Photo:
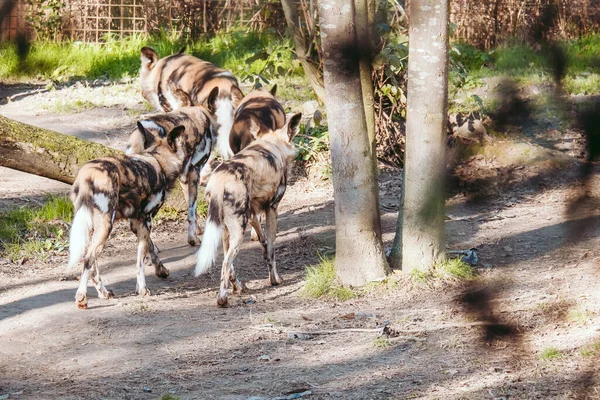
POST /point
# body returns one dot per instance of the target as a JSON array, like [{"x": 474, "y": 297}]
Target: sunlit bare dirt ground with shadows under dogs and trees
[{"x": 538, "y": 289}]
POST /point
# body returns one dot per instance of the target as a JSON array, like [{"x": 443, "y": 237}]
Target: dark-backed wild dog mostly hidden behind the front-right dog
[{"x": 258, "y": 113}]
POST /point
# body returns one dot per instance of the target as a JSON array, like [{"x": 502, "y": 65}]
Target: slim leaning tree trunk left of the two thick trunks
[{"x": 310, "y": 70}]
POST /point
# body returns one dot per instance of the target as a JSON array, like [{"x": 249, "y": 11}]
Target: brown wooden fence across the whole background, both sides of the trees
[{"x": 483, "y": 23}]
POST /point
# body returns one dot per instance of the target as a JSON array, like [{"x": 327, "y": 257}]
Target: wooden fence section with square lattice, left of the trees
[{"x": 93, "y": 20}]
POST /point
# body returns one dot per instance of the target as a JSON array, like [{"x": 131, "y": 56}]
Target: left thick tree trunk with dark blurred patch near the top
[{"x": 360, "y": 256}]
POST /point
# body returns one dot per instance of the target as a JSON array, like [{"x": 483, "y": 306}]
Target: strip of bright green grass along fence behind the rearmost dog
[{"x": 247, "y": 54}]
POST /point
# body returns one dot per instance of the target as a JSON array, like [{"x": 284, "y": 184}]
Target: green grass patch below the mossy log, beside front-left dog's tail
[{"x": 36, "y": 232}]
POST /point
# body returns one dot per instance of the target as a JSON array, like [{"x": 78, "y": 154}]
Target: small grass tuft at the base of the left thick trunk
[{"x": 321, "y": 282}]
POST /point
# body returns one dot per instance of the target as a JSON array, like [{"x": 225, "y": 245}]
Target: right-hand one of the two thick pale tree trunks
[{"x": 423, "y": 236}]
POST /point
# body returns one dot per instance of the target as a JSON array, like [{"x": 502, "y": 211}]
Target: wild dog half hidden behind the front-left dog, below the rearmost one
[{"x": 197, "y": 141}]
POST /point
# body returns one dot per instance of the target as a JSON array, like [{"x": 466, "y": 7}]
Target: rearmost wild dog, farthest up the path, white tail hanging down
[{"x": 184, "y": 80}]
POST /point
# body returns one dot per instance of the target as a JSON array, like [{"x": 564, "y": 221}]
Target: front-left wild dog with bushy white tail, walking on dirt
[{"x": 129, "y": 186}]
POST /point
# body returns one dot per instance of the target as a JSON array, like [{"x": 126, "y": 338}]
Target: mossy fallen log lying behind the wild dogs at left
[{"x": 54, "y": 155}]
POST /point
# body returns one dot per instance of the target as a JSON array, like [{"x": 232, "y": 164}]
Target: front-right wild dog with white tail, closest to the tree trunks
[{"x": 254, "y": 180}]
